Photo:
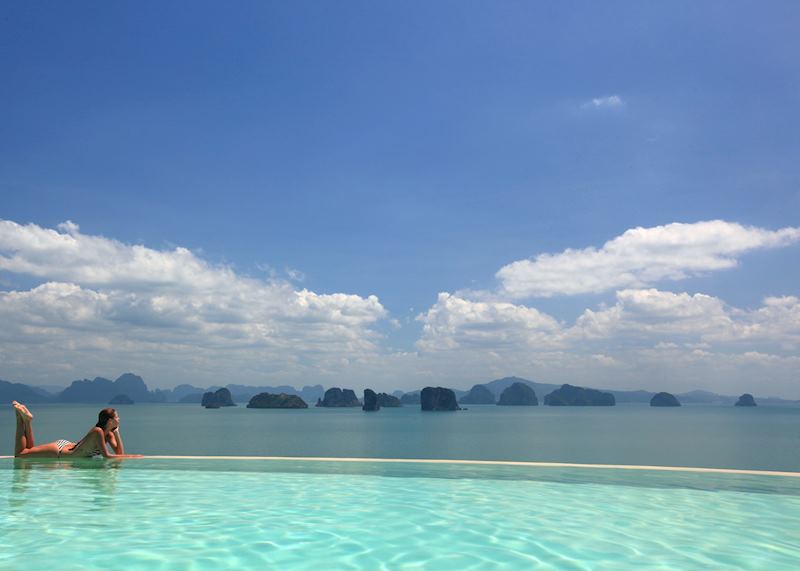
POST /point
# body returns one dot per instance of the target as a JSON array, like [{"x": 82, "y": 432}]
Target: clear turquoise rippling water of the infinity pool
[{"x": 253, "y": 514}]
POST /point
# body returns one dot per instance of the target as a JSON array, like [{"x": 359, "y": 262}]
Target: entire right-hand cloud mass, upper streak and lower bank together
[{"x": 646, "y": 337}]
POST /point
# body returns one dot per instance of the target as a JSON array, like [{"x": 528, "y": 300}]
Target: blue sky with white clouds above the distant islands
[{"x": 395, "y": 195}]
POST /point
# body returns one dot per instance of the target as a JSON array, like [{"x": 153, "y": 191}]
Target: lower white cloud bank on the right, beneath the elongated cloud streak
[{"x": 648, "y": 339}]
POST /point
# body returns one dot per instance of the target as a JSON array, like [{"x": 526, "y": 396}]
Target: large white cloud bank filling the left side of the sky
[{"x": 135, "y": 304}]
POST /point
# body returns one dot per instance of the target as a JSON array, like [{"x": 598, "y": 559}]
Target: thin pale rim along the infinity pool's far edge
[{"x": 517, "y": 463}]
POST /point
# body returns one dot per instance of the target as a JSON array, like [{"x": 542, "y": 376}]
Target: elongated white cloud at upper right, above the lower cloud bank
[{"x": 640, "y": 257}]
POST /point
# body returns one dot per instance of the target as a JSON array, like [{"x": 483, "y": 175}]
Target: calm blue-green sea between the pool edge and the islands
[{"x": 764, "y": 438}]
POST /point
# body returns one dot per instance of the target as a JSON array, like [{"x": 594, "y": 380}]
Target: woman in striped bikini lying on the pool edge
[{"x": 106, "y": 431}]
